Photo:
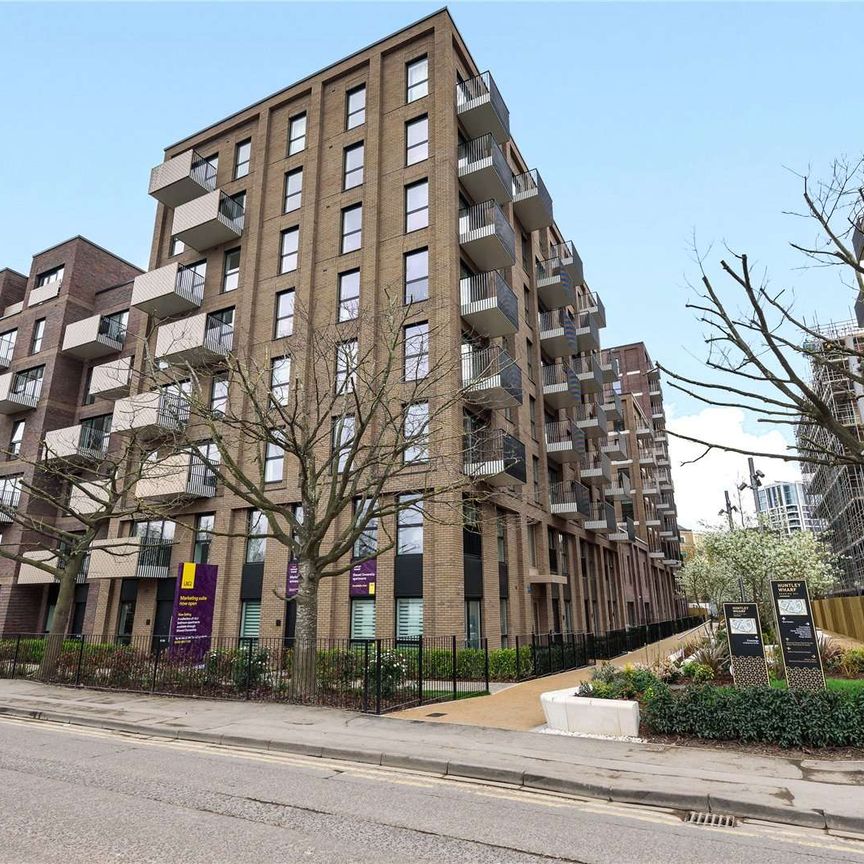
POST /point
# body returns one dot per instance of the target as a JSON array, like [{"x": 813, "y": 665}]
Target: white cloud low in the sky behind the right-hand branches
[{"x": 699, "y": 486}]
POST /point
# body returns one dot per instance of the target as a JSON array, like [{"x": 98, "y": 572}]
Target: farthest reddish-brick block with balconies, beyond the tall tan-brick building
[{"x": 644, "y": 492}]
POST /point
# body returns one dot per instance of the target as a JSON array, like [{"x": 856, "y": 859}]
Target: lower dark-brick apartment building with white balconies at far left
[{"x": 66, "y": 334}]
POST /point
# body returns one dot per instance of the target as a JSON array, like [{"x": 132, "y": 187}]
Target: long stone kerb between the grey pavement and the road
[{"x": 721, "y": 804}]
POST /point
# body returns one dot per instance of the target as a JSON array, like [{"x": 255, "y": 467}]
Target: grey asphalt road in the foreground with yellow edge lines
[{"x": 69, "y": 795}]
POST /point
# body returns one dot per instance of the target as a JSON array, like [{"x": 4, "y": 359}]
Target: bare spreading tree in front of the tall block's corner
[{"x": 365, "y": 419}]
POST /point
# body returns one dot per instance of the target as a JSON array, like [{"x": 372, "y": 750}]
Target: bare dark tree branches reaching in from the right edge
[{"x": 768, "y": 359}]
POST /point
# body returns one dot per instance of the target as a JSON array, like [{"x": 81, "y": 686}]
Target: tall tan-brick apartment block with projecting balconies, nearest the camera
[{"x": 392, "y": 167}]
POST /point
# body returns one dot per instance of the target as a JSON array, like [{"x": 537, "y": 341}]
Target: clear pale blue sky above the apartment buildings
[{"x": 647, "y": 121}]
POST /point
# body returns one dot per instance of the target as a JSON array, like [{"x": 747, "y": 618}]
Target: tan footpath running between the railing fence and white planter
[{"x": 518, "y": 707}]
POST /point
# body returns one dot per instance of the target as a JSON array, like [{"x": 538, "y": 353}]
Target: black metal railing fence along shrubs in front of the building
[{"x": 373, "y": 676}]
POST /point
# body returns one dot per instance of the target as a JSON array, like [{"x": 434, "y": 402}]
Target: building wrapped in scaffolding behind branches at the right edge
[{"x": 837, "y": 493}]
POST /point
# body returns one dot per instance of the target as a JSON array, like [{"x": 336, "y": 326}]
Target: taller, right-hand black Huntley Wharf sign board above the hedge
[{"x": 797, "y": 635}]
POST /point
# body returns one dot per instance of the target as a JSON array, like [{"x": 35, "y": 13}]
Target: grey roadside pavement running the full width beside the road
[{"x": 810, "y": 793}]
